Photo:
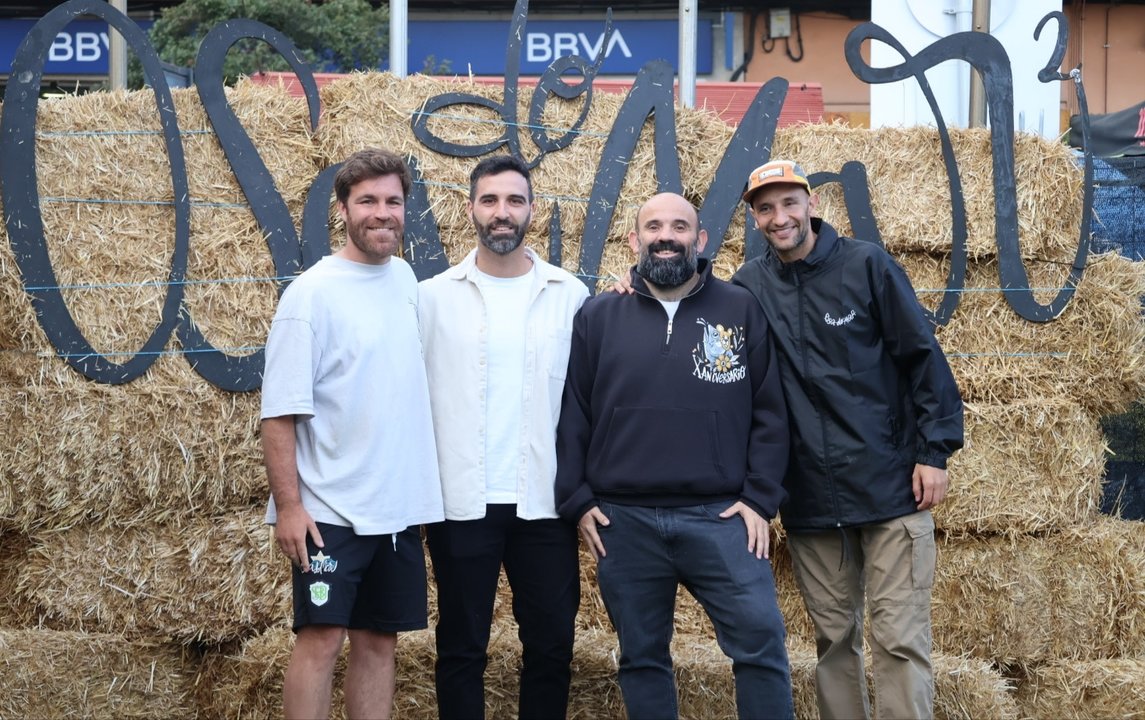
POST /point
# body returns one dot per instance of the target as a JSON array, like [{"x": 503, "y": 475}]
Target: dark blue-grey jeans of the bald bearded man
[{"x": 652, "y": 550}]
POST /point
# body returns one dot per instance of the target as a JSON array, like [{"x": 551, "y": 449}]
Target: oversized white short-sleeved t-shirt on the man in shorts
[{"x": 345, "y": 358}]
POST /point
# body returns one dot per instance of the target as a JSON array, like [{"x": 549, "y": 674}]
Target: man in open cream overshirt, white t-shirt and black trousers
[{"x": 498, "y": 330}]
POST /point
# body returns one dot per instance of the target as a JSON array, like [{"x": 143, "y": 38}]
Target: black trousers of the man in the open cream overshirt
[{"x": 542, "y": 566}]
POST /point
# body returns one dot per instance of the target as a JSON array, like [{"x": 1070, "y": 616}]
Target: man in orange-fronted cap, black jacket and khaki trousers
[{"x": 875, "y": 414}]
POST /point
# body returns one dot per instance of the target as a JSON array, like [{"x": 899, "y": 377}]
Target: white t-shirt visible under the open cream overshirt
[{"x": 507, "y": 310}]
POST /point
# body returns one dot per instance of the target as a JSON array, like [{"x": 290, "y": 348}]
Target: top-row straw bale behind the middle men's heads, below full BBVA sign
[{"x": 377, "y": 109}]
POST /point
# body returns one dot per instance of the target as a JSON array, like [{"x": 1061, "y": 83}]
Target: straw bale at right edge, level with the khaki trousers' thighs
[{"x": 1076, "y": 595}]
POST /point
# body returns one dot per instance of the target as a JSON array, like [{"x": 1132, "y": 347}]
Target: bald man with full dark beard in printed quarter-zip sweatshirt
[{"x": 672, "y": 449}]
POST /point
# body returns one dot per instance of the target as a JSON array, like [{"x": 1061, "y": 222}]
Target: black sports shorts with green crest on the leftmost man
[{"x": 364, "y": 582}]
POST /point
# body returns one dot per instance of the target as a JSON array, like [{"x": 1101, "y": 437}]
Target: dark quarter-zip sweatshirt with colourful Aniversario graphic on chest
[{"x": 665, "y": 414}]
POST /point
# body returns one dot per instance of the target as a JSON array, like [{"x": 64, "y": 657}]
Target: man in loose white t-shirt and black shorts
[{"x": 349, "y": 447}]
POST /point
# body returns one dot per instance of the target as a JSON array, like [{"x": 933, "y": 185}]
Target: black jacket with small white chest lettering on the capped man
[{"x": 868, "y": 390}]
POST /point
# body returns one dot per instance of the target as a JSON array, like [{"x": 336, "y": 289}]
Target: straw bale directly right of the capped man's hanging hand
[{"x": 1028, "y": 468}]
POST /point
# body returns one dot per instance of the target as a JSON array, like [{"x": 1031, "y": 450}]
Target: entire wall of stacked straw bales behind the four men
[{"x": 132, "y": 515}]
